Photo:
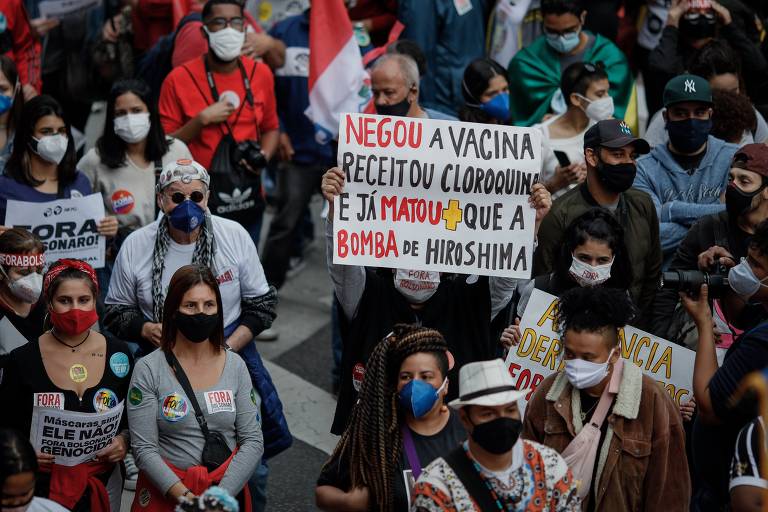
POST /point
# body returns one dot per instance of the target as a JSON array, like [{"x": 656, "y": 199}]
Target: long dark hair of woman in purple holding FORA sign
[{"x": 19, "y": 166}]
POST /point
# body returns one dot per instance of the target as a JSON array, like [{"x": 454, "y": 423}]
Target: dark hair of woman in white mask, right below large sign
[{"x": 600, "y": 225}]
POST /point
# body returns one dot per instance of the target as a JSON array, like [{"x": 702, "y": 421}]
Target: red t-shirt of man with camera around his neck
[{"x": 185, "y": 93}]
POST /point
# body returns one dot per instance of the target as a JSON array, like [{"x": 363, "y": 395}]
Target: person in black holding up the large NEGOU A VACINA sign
[{"x": 374, "y": 300}]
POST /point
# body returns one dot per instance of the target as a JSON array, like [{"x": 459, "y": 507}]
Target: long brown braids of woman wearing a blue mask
[{"x": 372, "y": 442}]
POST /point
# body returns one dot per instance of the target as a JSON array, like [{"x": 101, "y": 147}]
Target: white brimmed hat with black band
[{"x": 486, "y": 383}]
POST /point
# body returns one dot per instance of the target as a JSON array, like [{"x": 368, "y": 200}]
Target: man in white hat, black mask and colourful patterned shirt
[{"x": 494, "y": 469}]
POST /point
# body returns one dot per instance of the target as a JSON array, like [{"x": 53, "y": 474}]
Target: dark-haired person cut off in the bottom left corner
[{"x": 18, "y": 471}]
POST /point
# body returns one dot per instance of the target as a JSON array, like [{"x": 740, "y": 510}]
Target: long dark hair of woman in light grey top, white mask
[{"x": 112, "y": 148}]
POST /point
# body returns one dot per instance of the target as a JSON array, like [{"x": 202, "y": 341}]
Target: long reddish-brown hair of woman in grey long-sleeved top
[{"x": 182, "y": 281}]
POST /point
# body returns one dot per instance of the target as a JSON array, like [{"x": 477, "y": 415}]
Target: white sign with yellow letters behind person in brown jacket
[{"x": 537, "y": 355}]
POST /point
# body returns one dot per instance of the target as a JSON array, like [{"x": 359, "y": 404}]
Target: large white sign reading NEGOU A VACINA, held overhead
[{"x": 424, "y": 194}]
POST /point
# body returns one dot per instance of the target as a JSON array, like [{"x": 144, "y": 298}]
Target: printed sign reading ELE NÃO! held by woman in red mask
[{"x": 73, "y": 437}]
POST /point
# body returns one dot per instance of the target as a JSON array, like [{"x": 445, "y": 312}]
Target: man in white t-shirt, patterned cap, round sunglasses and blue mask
[{"x": 187, "y": 233}]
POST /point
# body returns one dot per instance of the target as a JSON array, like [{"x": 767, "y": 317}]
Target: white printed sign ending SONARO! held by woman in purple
[{"x": 67, "y": 227}]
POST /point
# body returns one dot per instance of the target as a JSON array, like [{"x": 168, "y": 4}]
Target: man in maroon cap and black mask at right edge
[{"x": 720, "y": 239}]
